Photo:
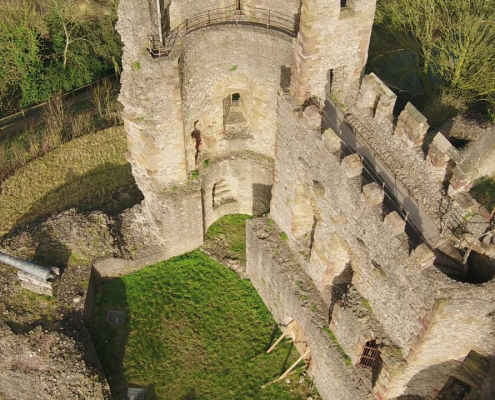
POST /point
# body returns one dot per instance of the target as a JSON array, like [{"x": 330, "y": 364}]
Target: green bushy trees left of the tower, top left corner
[{"x": 47, "y": 46}]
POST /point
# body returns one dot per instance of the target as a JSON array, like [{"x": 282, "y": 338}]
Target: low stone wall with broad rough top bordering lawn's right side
[{"x": 274, "y": 273}]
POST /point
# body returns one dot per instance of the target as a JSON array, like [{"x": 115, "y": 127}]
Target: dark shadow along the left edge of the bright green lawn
[{"x": 110, "y": 340}]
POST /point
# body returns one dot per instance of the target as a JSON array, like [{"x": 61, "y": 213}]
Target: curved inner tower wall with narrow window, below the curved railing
[{"x": 218, "y": 62}]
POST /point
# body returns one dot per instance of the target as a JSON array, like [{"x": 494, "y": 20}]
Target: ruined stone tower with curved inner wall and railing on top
[{"x": 200, "y": 84}]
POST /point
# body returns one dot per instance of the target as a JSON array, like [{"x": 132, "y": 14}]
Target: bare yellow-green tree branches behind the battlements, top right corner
[{"x": 448, "y": 46}]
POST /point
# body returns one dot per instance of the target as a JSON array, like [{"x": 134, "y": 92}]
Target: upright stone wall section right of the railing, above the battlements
[{"x": 332, "y": 47}]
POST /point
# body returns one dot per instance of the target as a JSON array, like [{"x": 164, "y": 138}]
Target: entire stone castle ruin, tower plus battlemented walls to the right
[{"x": 374, "y": 254}]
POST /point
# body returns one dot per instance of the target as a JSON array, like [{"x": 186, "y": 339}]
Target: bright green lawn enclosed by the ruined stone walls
[{"x": 194, "y": 330}]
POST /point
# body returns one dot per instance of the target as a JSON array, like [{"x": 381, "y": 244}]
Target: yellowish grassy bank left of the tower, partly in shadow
[{"x": 89, "y": 173}]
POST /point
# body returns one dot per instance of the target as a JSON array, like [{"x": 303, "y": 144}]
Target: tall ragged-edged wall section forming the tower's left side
[{"x": 150, "y": 93}]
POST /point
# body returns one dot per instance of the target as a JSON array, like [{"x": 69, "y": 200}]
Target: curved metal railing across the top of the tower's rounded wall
[{"x": 268, "y": 19}]
